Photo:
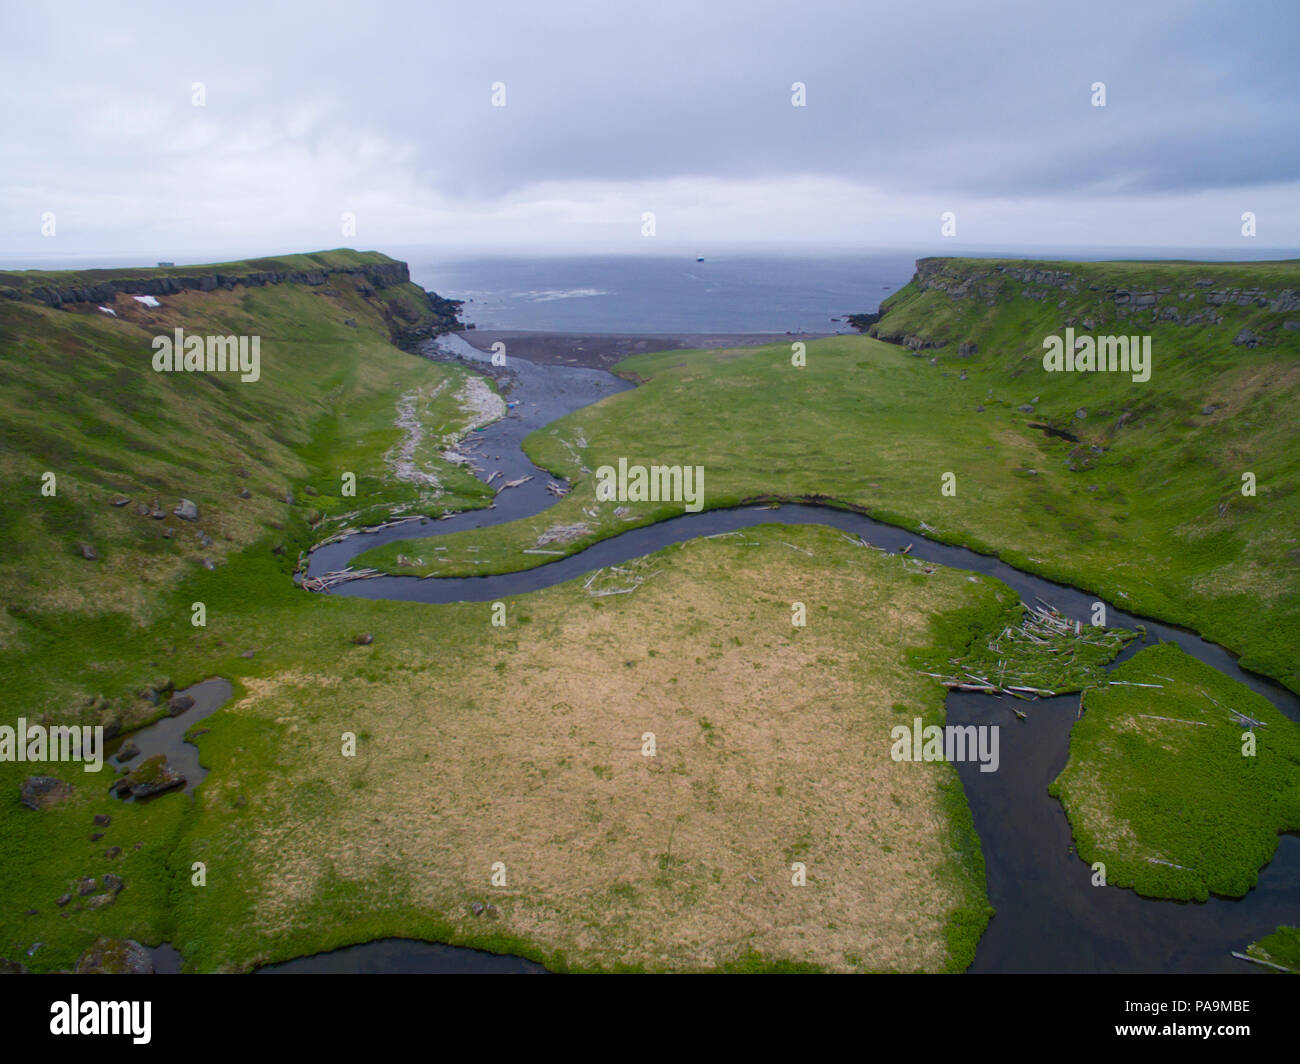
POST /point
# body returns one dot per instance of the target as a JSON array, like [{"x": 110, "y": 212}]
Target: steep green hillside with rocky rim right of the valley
[{"x": 1221, "y": 403}]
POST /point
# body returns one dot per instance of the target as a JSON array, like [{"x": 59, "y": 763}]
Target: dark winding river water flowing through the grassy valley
[{"x": 1048, "y": 915}]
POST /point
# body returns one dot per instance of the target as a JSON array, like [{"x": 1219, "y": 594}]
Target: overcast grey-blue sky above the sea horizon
[{"x": 613, "y": 110}]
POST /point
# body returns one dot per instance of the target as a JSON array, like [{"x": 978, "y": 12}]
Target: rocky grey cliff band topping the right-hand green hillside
[{"x": 1251, "y": 304}]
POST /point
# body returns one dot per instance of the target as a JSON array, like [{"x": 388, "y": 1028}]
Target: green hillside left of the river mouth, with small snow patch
[{"x": 99, "y": 448}]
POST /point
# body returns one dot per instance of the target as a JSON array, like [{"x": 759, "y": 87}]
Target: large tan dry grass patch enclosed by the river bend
[{"x": 525, "y": 746}]
